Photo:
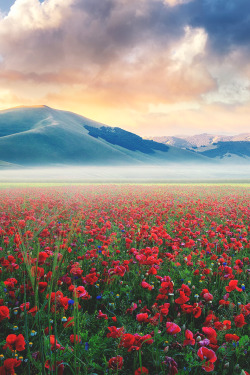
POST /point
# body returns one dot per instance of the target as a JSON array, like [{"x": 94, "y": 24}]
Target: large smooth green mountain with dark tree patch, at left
[{"x": 40, "y": 135}]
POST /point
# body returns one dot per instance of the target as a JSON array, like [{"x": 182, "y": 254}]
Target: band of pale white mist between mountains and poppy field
[{"x": 146, "y": 173}]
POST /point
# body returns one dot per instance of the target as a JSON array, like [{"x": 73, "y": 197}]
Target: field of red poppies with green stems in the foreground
[{"x": 125, "y": 279}]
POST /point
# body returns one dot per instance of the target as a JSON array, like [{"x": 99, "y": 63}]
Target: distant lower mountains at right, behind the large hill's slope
[{"x": 236, "y": 147}]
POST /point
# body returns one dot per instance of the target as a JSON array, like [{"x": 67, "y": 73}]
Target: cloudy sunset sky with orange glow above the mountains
[{"x": 153, "y": 67}]
